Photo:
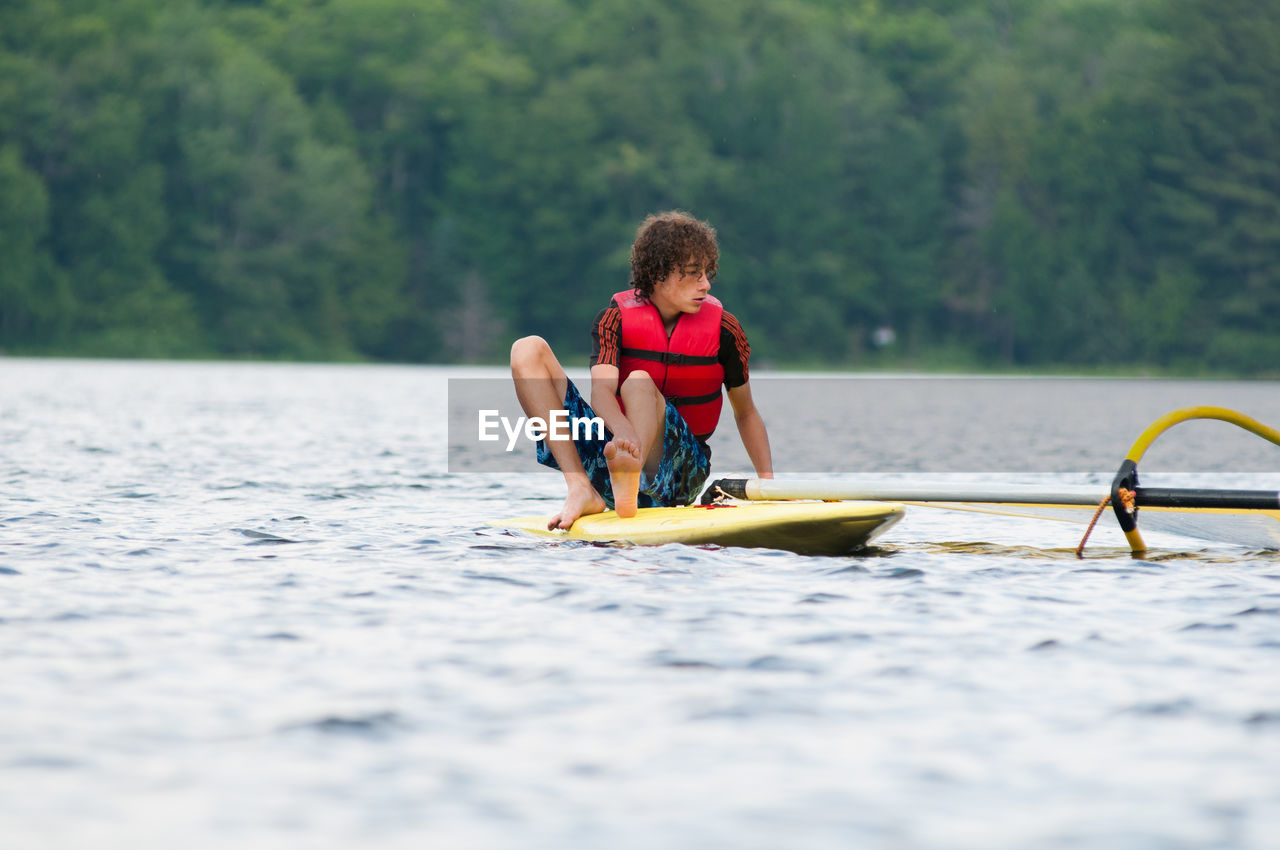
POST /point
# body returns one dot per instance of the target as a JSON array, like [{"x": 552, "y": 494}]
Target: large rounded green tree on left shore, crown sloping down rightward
[{"x": 273, "y": 232}]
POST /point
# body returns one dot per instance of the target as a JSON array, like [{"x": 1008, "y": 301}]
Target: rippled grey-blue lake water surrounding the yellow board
[{"x": 252, "y": 606}]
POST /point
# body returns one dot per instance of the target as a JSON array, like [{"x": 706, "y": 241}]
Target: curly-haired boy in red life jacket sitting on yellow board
[{"x": 661, "y": 354}]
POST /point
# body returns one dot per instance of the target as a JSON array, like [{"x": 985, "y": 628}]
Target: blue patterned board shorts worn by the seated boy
[{"x": 682, "y": 473}]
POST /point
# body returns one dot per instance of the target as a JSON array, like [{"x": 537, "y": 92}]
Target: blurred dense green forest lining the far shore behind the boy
[{"x": 980, "y": 182}]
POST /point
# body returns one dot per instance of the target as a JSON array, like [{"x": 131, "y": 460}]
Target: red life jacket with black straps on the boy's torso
[{"x": 685, "y": 367}]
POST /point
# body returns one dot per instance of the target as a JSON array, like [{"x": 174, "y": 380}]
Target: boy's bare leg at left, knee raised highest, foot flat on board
[{"x": 541, "y": 386}]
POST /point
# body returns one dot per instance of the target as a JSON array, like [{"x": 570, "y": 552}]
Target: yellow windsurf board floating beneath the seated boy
[{"x": 806, "y": 528}]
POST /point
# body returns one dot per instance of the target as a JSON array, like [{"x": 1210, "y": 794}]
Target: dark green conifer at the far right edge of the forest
[{"x": 1220, "y": 186}]
